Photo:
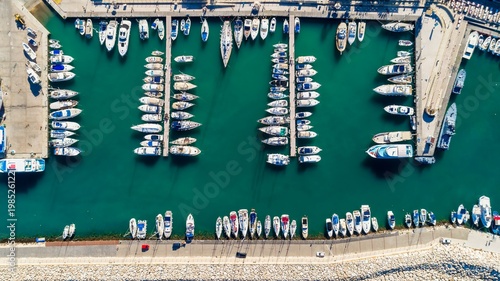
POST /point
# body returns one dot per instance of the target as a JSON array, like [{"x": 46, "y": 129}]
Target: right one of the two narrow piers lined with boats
[{"x": 291, "y": 84}]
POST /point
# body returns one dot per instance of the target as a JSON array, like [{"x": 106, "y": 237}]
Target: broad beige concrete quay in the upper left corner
[{"x": 25, "y": 113}]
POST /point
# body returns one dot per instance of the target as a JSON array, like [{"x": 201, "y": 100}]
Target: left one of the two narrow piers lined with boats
[{"x": 168, "y": 72}]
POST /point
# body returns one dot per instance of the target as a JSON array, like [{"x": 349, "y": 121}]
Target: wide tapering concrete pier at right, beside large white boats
[{"x": 439, "y": 48}]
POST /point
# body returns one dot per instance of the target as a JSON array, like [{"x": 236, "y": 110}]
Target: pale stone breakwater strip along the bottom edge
[{"x": 442, "y": 262}]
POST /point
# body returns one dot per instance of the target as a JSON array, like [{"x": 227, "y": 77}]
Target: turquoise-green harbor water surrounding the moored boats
[{"x": 102, "y": 190}]
